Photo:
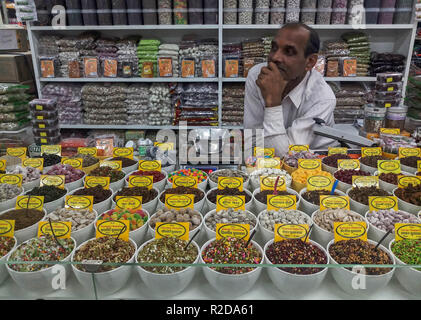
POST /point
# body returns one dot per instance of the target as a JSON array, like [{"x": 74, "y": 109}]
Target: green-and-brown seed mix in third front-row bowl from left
[{"x": 171, "y": 250}]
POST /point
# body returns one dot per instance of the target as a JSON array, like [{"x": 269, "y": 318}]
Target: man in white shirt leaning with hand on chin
[{"x": 284, "y": 95}]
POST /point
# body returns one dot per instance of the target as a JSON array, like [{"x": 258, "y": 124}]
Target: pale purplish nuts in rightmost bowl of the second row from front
[{"x": 385, "y": 219}]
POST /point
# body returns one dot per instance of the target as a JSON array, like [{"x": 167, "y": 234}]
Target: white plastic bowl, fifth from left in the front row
[{"x": 295, "y": 284}]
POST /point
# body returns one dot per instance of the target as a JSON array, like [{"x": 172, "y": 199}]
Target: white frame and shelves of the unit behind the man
[{"x": 396, "y": 38}]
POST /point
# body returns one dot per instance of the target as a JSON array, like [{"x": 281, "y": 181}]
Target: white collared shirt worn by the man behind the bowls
[{"x": 291, "y": 122}]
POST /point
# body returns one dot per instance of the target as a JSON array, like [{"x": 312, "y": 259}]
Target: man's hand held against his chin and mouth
[{"x": 271, "y": 84}]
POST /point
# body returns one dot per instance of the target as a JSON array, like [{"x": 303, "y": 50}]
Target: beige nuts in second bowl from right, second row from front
[{"x": 326, "y": 218}]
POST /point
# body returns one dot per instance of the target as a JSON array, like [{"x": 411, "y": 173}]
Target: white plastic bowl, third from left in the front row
[{"x": 167, "y": 285}]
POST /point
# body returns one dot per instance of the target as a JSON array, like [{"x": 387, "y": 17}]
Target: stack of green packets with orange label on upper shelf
[{"x": 147, "y": 52}]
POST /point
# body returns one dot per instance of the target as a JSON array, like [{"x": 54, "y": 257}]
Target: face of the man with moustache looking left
[{"x": 288, "y": 48}]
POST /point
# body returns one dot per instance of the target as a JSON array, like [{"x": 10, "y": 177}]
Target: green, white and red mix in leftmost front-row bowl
[{"x": 44, "y": 248}]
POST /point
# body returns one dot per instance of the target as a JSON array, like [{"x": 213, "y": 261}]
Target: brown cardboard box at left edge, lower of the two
[{"x": 15, "y": 67}]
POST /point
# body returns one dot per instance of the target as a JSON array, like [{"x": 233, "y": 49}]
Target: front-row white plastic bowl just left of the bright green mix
[{"x": 344, "y": 278}]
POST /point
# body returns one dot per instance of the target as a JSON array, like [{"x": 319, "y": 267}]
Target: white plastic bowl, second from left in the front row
[{"x": 106, "y": 282}]
